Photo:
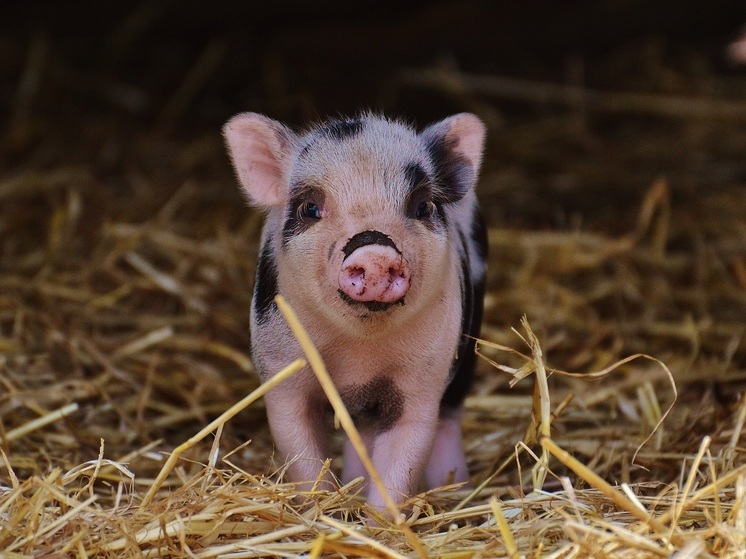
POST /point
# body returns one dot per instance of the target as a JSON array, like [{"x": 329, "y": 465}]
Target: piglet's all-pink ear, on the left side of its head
[{"x": 260, "y": 149}]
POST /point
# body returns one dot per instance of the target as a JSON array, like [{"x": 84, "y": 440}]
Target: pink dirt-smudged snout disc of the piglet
[{"x": 375, "y": 273}]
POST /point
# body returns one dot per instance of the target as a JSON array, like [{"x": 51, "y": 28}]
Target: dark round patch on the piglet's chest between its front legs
[{"x": 379, "y": 403}]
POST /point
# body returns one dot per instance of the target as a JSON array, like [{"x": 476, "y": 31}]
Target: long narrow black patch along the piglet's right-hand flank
[{"x": 472, "y": 308}]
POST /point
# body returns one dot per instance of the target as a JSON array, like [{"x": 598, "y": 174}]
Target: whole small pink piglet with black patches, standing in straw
[{"x": 373, "y": 236}]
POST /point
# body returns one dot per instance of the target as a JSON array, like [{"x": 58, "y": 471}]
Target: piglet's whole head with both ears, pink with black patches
[{"x": 358, "y": 209}]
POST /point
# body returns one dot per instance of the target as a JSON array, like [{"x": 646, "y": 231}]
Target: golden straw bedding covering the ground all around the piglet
[{"x": 608, "y": 415}]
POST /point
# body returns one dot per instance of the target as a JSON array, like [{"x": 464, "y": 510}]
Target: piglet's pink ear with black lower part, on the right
[{"x": 455, "y": 145}]
